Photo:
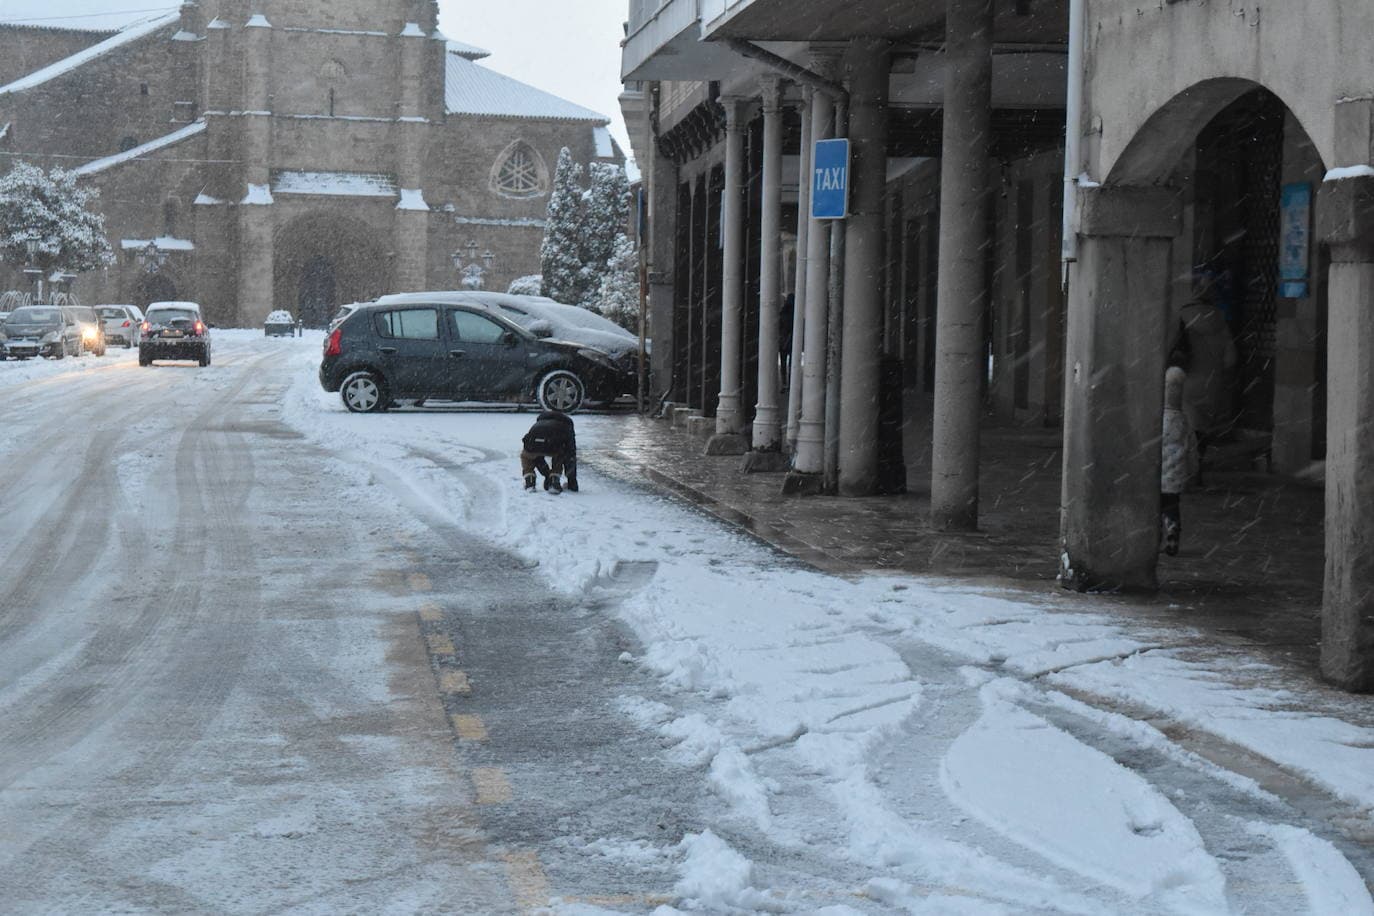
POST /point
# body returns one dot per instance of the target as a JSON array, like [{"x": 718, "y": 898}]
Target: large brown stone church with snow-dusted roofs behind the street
[{"x": 292, "y": 154}]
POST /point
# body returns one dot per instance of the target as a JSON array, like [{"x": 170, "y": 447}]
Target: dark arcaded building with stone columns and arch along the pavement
[{"x": 1000, "y": 270}]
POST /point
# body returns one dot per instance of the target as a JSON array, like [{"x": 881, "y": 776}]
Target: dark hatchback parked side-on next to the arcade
[{"x": 449, "y": 347}]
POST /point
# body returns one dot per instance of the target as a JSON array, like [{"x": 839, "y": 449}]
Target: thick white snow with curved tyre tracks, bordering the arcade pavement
[{"x": 910, "y": 733}]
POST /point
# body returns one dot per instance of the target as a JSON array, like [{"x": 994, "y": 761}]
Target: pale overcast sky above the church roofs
[{"x": 567, "y": 47}]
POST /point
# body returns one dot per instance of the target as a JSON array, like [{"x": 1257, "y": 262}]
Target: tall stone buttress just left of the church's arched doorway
[{"x": 256, "y": 225}]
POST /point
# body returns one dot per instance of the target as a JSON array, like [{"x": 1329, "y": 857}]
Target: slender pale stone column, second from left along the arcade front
[{"x": 767, "y": 440}]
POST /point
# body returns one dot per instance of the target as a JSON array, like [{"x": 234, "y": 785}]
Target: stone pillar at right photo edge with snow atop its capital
[{"x": 1346, "y": 222}]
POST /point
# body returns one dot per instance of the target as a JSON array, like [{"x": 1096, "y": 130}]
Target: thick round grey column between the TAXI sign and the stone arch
[{"x": 961, "y": 358}]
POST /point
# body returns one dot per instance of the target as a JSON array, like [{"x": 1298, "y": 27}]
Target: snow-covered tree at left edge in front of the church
[{"x": 56, "y": 212}]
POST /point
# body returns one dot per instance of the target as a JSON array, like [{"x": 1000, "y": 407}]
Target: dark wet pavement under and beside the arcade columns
[{"x": 1250, "y": 569}]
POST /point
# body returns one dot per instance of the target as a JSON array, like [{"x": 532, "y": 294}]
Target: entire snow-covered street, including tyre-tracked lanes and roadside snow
[{"x": 263, "y": 656}]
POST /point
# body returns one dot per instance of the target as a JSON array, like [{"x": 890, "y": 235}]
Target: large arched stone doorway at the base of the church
[{"x": 326, "y": 260}]
